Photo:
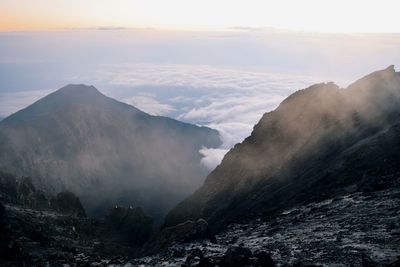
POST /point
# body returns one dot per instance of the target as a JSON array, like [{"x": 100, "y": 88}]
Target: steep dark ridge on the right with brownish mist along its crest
[{"x": 320, "y": 142}]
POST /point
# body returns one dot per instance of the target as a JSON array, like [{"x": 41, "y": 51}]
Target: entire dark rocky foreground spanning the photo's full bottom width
[{"x": 356, "y": 229}]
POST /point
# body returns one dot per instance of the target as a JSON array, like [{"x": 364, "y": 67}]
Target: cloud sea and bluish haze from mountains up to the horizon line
[{"x": 225, "y": 80}]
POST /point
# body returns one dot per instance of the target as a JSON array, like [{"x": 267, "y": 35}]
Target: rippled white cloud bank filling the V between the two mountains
[{"x": 229, "y": 100}]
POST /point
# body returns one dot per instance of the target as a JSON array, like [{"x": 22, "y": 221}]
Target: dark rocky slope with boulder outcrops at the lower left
[{"x": 38, "y": 229}]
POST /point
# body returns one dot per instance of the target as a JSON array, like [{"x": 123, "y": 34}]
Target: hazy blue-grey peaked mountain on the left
[{"x": 105, "y": 151}]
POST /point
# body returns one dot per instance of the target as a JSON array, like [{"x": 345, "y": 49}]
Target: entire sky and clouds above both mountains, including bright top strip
[{"x": 218, "y": 63}]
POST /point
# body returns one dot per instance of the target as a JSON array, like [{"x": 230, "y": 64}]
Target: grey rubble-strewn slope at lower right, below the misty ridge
[{"x": 354, "y": 230}]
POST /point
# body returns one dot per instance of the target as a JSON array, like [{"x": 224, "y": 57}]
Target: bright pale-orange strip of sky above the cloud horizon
[{"x": 342, "y": 16}]
